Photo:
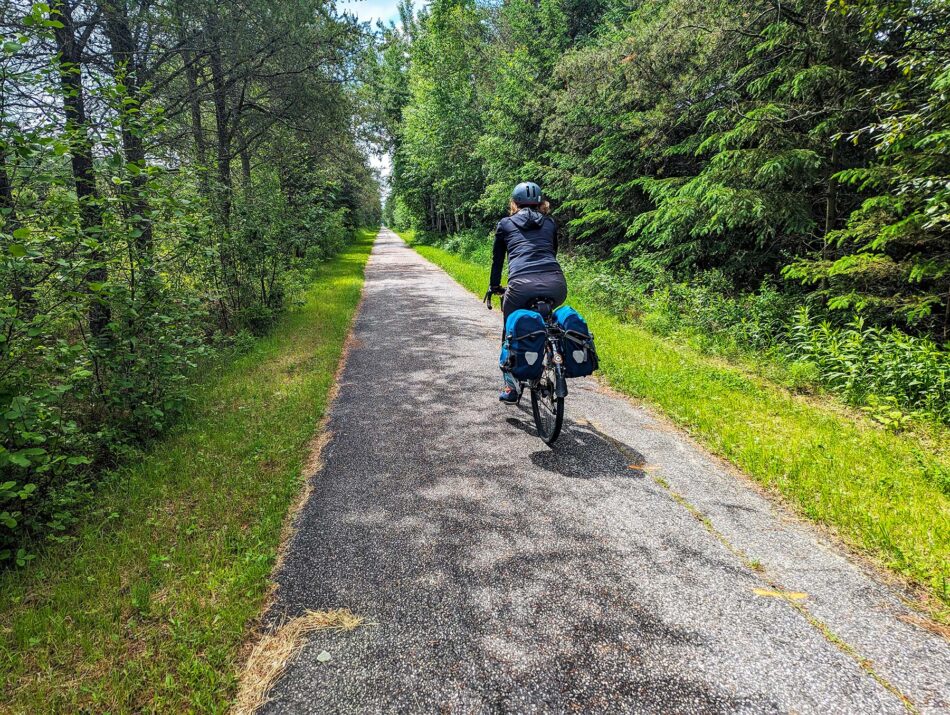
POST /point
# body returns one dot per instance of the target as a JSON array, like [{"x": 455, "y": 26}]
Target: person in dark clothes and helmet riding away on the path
[{"x": 528, "y": 236}]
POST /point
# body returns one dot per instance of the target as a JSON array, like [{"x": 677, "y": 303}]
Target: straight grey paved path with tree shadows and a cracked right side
[{"x": 499, "y": 575}]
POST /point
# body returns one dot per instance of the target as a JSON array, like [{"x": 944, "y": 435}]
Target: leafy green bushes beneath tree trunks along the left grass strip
[{"x": 72, "y": 405}]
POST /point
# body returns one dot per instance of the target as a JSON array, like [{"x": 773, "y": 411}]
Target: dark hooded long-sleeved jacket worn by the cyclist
[{"x": 530, "y": 240}]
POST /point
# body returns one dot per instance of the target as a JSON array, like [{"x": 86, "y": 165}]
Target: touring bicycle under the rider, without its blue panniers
[{"x": 550, "y": 389}]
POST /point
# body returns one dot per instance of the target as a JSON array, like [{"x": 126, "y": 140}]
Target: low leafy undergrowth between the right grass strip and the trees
[{"x": 903, "y": 383}]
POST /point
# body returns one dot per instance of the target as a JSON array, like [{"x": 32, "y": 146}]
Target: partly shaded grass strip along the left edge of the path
[{"x": 148, "y": 607}]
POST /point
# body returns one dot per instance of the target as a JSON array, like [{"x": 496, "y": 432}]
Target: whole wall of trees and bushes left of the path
[{"x": 165, "y": 190}]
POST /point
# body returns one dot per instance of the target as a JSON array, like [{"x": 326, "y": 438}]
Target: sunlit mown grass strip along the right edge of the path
[{"x": 883, "y": 493}]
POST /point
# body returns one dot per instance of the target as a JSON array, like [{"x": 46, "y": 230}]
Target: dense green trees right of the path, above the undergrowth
[{"x": 803, "y": 143}]
